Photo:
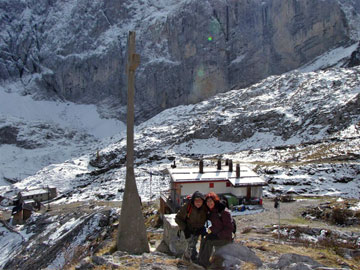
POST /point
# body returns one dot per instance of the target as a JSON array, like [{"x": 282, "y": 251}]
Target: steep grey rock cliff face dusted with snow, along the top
[{"x": 190, "y": 50}]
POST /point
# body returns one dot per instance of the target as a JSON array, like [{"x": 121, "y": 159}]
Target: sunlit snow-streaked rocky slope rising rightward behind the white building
[{"x": 301, "y": 119}]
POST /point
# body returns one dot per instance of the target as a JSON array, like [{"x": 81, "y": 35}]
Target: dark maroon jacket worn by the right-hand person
[{"x": 221, "y": 224}]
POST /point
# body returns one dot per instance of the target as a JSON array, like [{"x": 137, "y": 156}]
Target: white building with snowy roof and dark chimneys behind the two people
[{"x": 239, "y": 187}]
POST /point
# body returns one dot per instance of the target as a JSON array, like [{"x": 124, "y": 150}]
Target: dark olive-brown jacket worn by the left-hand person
[{"x": 191, "y": 218}]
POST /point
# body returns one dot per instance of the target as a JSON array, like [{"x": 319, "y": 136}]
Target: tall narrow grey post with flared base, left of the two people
[{"x": 132, "y": 235}]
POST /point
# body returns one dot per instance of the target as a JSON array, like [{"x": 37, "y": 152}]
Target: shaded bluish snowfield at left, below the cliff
[{"x": 35, "y": 134}]
